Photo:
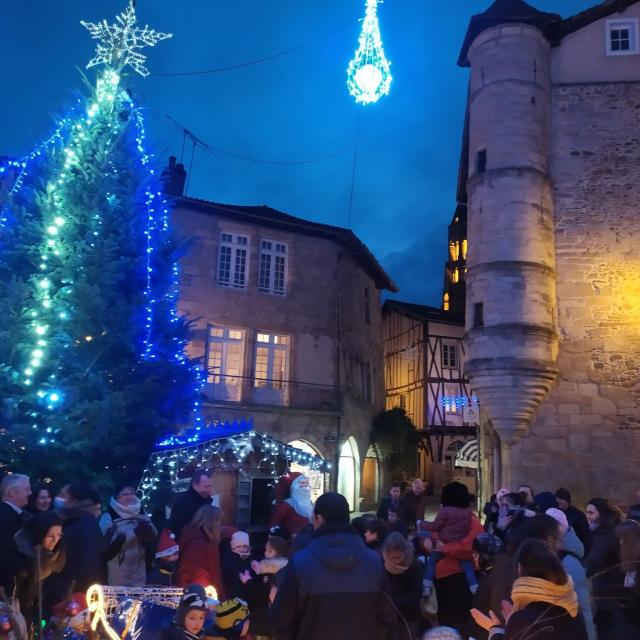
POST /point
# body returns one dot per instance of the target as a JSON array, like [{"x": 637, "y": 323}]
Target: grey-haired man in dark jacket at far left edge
[{"x": 15, "y": 490}]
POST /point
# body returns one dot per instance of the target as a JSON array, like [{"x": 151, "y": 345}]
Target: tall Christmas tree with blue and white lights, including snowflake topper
[{"x": 92, "y": 364}]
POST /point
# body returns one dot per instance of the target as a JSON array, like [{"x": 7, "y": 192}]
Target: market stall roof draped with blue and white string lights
[{"x": 202, "y": 444}]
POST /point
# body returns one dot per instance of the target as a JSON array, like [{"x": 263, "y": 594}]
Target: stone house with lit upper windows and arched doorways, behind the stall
[{"x": 287, "y": 320}]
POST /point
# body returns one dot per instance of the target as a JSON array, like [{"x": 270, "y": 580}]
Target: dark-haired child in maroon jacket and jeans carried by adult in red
[{"x": 452, "y": 524}]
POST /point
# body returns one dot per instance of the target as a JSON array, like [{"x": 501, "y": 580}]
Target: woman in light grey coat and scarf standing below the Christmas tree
[{"x": 126, "y": 517}]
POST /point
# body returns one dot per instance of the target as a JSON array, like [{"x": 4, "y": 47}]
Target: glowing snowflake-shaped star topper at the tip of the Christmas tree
[{"x": 120, "y": 43}]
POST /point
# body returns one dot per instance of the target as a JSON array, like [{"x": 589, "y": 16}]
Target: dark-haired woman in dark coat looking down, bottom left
[{"x": 37, "y": 555}]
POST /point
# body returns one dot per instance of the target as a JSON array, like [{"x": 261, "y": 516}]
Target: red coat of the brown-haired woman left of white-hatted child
[{"x": 199, "y": 561}]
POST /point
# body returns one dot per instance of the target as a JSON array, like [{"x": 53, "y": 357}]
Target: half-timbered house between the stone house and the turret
[{"x": 424, "y": 360}]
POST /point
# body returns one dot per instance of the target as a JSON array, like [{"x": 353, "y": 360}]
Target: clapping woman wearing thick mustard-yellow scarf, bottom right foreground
[{"x": 545, "y": 604}]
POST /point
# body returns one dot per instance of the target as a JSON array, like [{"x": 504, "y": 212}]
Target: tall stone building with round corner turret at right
[{"x": 552, "y": 156}]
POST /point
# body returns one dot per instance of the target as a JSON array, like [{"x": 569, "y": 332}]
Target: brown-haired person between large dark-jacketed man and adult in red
[{"x": 405, "y": 580}]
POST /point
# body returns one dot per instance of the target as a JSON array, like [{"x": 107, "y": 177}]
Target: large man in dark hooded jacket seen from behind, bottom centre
[{"x": 335, "y": 588}]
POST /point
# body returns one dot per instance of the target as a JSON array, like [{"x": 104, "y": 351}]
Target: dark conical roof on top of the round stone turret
[{"x": 505, "y": 12}]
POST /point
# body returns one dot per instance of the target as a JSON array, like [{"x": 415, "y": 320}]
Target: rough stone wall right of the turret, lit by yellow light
[{"x": 586, "y": 435}]
